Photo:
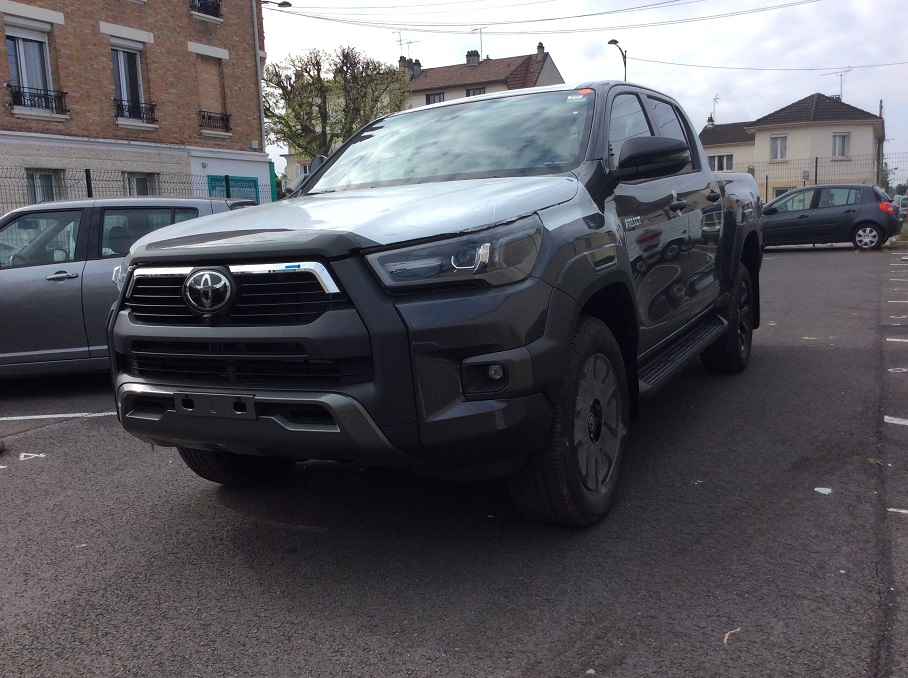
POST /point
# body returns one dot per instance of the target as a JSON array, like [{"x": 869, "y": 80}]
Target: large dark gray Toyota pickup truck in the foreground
[{"x": 481, "y": 288}]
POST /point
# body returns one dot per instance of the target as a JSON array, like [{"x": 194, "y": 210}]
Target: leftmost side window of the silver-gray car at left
[{"x": 39, "y": 238}]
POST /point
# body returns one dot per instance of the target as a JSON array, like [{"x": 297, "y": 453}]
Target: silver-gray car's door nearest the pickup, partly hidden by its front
[{"x": 114, "y": 230}]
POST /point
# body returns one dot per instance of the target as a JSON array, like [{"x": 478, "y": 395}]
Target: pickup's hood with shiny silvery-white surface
[{"x": 333, "y": 224}]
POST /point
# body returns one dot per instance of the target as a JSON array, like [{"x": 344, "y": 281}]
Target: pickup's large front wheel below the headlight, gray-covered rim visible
[{"x": 574, "y": 478}]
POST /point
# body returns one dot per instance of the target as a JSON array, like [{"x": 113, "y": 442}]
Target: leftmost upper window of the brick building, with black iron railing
[{"x": 29, "y": 66}]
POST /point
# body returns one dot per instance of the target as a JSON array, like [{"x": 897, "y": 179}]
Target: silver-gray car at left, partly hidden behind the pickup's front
[{"x": 56, "y": 264}]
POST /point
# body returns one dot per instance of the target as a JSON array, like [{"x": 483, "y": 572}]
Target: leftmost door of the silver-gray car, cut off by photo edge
[{"x": 42, "y": 259}]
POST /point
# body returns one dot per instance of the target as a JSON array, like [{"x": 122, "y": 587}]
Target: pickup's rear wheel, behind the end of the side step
[{"x": 731, "y": 352}]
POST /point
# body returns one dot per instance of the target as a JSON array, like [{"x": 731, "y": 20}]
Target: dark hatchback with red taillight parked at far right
[{"x": 855, "y": 213}]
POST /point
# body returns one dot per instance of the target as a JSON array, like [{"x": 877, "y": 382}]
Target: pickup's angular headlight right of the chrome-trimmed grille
[{"x": 496, "y": 256}]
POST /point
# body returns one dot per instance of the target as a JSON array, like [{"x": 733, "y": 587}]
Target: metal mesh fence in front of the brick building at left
[{"x": 19, "y": 187}]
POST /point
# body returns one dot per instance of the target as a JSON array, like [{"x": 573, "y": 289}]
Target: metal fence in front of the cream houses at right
[{"x": 776, "y": 177}]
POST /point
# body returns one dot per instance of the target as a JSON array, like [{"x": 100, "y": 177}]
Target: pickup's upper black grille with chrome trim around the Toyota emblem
[{"x": 265, "y": 295}]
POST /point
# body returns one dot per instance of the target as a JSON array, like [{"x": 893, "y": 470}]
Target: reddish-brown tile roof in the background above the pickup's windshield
[{"x": 515, "y": 72}]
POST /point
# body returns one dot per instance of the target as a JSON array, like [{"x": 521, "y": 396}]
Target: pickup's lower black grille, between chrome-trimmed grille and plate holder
[{"x": 254, "y": 364}]
